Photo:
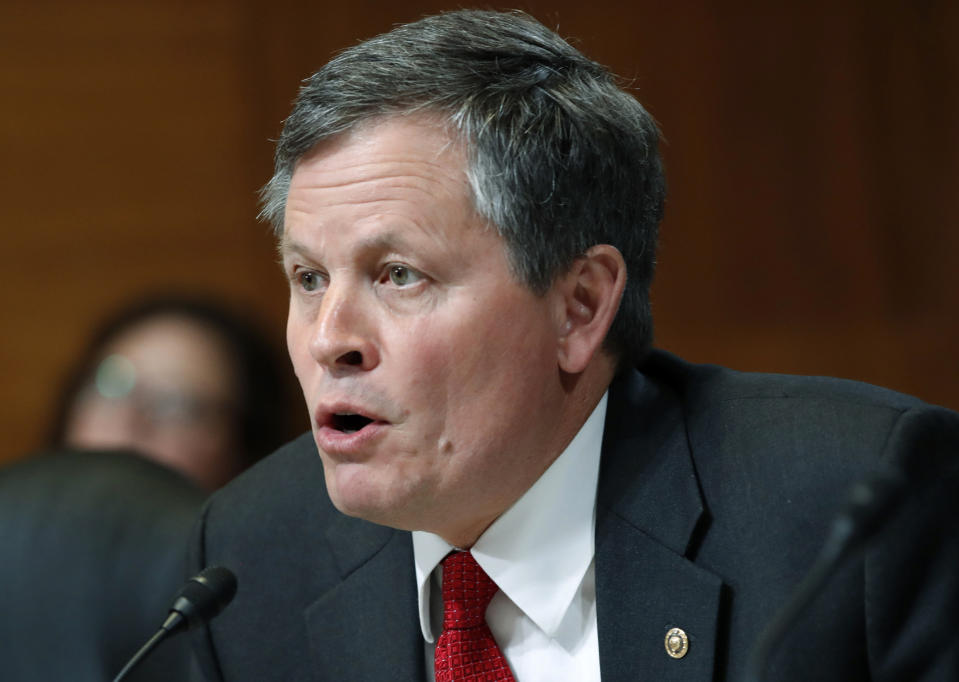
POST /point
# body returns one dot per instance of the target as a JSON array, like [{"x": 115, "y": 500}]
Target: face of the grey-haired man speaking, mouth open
[{"x": 430, "y": 373}]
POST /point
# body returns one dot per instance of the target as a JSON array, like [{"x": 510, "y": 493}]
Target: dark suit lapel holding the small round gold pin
[{"x": 649, "y": 509}]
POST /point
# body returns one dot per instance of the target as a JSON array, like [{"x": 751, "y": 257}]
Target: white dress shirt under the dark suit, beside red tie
[{"x": 540, "y": 554}]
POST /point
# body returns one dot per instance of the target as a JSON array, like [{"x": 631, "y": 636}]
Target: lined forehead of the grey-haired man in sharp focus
[{"x": 402, "y": 176}]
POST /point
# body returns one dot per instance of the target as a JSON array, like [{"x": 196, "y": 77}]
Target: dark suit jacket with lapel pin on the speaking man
[{"x": 716, "y": 491}]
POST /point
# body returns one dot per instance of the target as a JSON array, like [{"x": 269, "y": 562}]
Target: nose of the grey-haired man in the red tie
[{"x": 342, "y": 335}]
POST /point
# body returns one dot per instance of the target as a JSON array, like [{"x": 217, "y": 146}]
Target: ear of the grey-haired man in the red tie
[{"x": 590, "y": 294}]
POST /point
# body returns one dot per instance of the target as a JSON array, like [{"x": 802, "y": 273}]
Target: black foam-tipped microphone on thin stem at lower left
[{"x": 198, "y": 601}]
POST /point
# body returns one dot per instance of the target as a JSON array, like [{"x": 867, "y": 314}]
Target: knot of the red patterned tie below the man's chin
[{"x": 467, "y": 591}]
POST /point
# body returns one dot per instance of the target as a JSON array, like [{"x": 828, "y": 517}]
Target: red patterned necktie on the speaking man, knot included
[{"x": 466, "y": 651}]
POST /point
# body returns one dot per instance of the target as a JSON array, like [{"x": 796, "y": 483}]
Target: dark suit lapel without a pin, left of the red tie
[{"x": 367, "y": 627}]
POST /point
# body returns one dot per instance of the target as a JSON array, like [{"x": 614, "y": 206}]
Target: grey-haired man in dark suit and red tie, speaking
[{"x": 467, "y": 212}]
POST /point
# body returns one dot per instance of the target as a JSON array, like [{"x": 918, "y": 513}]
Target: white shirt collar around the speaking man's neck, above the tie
[{"x": 539, "y": 549}]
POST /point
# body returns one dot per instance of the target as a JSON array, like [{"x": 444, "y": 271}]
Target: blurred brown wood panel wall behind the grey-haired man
[{"x": 811, "y": 152}]
